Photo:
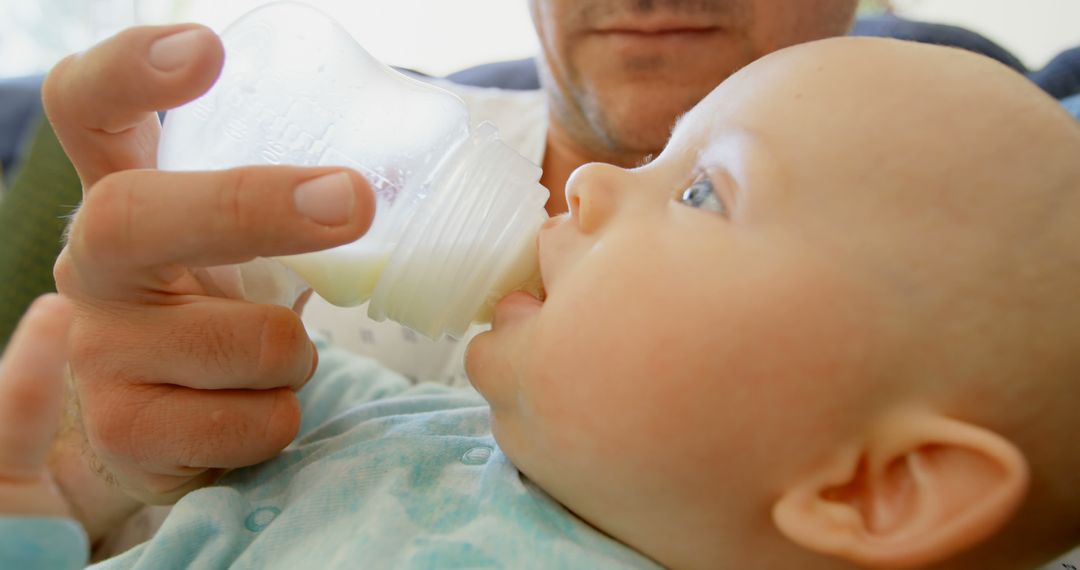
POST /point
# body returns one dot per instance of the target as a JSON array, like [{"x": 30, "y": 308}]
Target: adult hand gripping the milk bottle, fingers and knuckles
[{"x": 174, "y": 382}]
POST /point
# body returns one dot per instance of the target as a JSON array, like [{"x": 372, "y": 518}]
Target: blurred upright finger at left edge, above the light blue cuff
[{"x": 32, "y": 388}]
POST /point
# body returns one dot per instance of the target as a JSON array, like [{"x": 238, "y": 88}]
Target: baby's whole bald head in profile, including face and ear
[{"x": 804, "y": 330}]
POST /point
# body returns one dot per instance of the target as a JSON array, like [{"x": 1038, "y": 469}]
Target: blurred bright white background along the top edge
[{"x": 438, "y": 37}]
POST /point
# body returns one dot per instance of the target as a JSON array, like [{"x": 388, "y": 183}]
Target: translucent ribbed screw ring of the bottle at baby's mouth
[{"x": 471, "y": 240}]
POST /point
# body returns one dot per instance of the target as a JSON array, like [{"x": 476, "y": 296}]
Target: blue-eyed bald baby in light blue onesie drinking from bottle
[{"x": 834, "y": 325}]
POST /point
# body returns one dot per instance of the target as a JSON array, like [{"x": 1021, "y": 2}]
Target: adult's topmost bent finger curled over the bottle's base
[{"x": 103, "y": 102}]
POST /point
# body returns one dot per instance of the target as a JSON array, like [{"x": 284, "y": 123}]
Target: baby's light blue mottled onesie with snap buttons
[{"x": 383, "y": 476}]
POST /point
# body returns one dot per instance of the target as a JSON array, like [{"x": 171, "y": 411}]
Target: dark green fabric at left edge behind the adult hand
[{"x": 33, "y": 216}]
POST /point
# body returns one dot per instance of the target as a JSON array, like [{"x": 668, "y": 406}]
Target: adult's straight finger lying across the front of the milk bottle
[{"x": 139, "y": 230}]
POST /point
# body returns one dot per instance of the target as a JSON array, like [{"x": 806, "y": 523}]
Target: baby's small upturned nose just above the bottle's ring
[{"x": 593, "y": 195}]
